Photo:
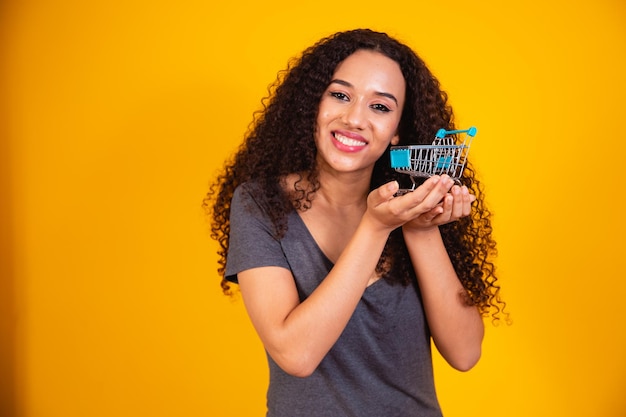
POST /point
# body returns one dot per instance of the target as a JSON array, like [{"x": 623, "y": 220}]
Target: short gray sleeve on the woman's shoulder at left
[{"x": 252, "y": 241}]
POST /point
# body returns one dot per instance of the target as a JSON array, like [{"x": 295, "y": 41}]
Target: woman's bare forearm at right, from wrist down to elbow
[{"x": 456, "y": 327}]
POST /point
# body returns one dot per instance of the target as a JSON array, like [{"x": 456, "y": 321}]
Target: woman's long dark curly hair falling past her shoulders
[{"x": 280, "y": 142}]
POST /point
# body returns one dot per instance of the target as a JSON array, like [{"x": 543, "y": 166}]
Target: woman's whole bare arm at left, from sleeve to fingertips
[{"x": 299, "y": 334}]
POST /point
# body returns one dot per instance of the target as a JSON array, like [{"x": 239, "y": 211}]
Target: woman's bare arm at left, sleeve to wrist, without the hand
[{"x": 299, "y": 335}]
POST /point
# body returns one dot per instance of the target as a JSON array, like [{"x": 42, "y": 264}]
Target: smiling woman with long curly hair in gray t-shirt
[{"x": 345, "y": 282}]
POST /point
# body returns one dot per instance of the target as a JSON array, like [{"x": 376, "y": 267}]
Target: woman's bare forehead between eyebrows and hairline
[{"x": 369, "y": 68}]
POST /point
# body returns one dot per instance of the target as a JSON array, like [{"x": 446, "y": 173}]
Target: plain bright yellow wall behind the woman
[{"x": 118, "y": 113}]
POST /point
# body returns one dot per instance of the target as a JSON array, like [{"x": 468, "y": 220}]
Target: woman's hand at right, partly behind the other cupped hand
[{"x": 457, "y": 203}]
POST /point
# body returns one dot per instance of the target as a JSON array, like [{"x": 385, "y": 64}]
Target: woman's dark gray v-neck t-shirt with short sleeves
[{"x": 380, "y": 366}]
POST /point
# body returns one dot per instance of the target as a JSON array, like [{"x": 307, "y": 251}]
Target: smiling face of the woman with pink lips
[{"x": 359, "y": 112}]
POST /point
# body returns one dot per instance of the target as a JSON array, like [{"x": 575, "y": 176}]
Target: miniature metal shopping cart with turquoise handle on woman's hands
[{"x": 446, "y": 155}]
